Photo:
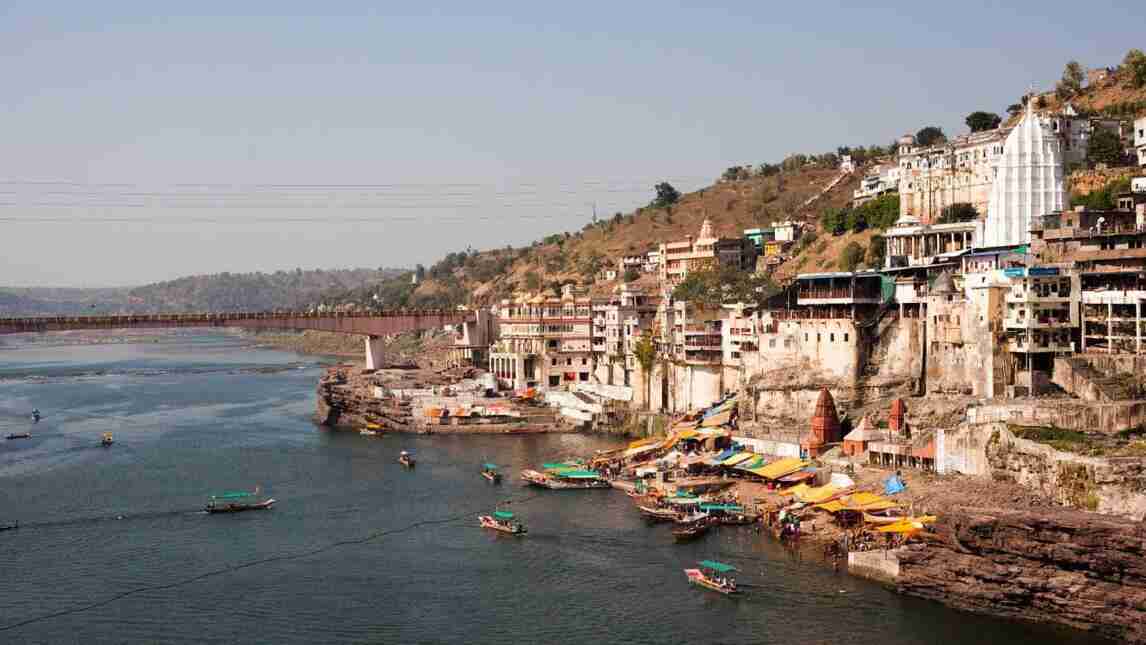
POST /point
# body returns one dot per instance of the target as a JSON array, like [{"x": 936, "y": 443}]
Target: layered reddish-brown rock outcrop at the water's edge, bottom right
[{"x": 1071, "y": 568}]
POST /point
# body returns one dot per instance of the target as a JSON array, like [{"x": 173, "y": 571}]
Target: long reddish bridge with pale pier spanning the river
[{"x": 373, "y": 326}]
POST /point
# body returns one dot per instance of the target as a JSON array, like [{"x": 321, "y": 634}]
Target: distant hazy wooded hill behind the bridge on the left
[{"x": 217, "y": 293}]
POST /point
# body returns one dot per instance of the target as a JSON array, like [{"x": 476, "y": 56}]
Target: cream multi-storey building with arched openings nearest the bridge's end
[{"x": 545, "y": 342}]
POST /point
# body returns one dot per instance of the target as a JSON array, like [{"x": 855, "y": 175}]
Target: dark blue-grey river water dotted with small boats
[{"x": 115, "y": 549}]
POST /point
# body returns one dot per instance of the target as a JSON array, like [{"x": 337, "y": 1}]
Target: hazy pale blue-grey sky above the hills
[{"x": 140, "y": 146}]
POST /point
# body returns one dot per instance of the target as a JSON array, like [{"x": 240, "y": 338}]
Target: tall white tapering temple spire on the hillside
[{"x": 1029, "y": 183}]
